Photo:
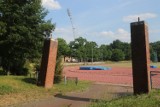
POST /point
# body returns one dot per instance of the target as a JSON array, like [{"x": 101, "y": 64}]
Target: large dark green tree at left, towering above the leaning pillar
[{"x": 22, "y": 26}]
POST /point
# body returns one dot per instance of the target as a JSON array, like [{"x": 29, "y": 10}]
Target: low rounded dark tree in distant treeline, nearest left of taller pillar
[{"x": 117, "y": 55}]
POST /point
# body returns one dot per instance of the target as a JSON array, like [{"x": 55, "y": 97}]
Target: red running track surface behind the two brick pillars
[{"x": 117, "y": 75}]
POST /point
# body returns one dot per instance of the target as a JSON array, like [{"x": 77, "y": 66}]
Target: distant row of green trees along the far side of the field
[{"x": 86, "y": 51}]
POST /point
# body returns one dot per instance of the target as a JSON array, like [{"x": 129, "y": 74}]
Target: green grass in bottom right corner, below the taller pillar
[{"x": 145, "y": 100}]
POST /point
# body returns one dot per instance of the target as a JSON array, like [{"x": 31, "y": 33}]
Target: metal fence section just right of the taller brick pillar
[{"x": 155, "y": 79}]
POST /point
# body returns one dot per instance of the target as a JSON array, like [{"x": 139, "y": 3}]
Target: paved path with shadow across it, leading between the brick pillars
[{"x": 83, "y": 99}]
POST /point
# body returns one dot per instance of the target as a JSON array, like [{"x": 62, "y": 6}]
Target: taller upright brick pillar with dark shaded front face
[{"x": 140, "y": 57}]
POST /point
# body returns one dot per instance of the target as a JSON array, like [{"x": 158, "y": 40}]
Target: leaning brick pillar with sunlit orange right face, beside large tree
[{"x": 48, "y": 63}]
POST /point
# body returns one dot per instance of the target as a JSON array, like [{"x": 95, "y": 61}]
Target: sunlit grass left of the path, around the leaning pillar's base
[{"x": 18, "y": 89}]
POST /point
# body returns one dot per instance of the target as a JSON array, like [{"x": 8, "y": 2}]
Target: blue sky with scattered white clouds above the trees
[{"x": 102, "y": 21}]
